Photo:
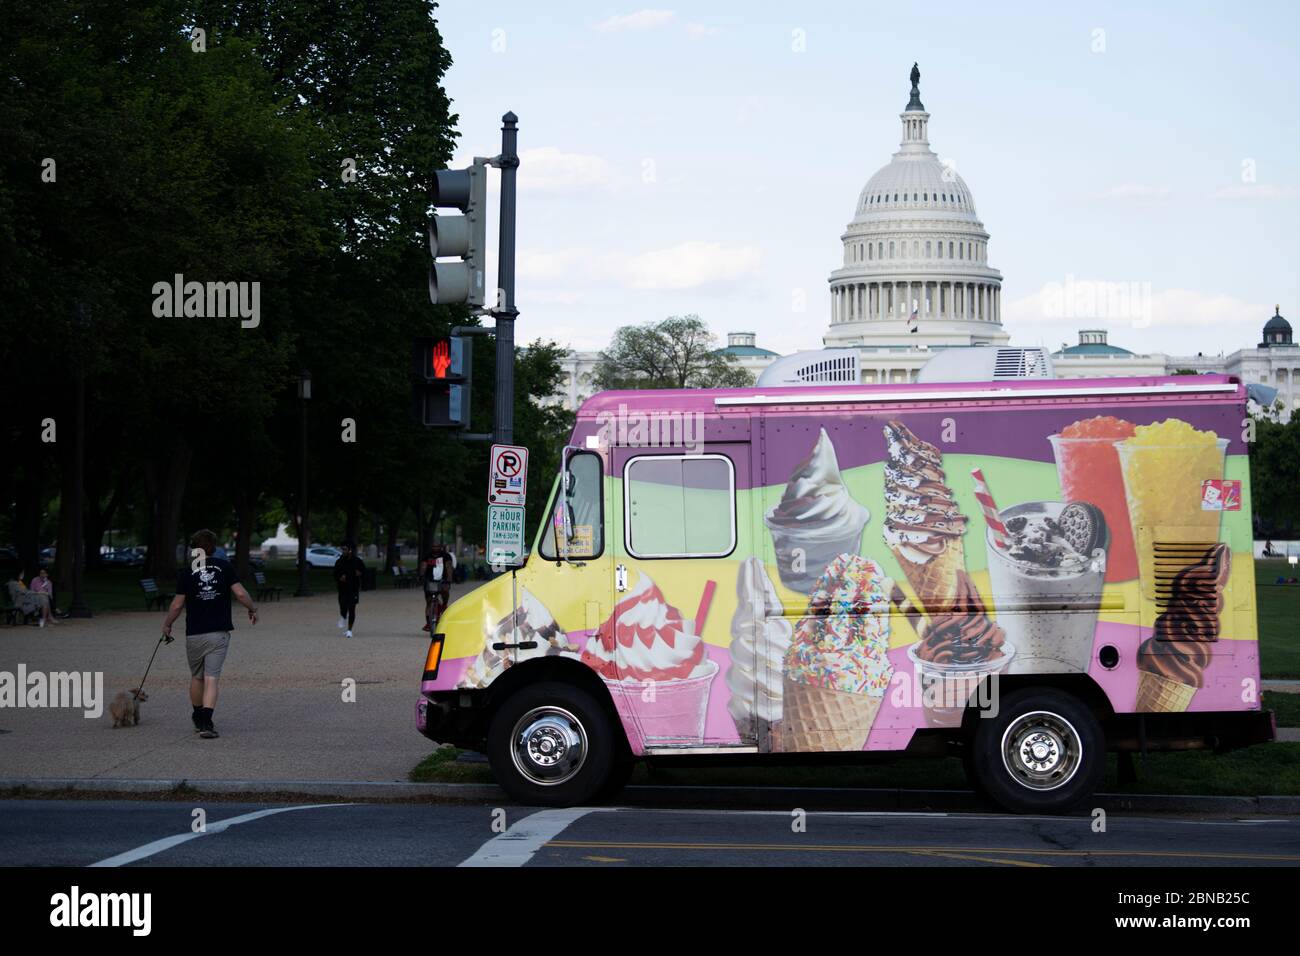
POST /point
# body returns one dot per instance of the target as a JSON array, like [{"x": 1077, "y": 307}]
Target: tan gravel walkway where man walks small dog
[{"x": 281, "y": 712}]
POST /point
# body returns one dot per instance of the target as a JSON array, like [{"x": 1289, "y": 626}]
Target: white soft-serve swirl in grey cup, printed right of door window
[{"x": 816, "y": 521}]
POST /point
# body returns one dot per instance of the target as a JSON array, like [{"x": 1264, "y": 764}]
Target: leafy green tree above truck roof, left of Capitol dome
[{"x": 678, "y": 353}]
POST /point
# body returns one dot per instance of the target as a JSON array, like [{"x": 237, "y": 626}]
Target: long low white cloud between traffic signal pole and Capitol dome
[{"x": 686, "y": 266}]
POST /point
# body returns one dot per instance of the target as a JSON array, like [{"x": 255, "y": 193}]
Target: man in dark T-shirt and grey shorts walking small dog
[{"x": 203, "y": 591}]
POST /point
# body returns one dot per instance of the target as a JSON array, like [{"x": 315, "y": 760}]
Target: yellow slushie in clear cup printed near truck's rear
[{"x": 1164, "y": 468}]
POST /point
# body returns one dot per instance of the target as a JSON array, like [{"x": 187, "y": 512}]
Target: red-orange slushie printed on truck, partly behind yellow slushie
[{"x": 1089, "y": 469}]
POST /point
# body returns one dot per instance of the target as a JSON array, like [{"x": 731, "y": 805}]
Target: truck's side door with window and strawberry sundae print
[{"x": 681, "y": 524}]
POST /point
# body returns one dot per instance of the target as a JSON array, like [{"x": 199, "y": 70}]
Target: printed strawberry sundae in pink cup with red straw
[{"x": 656, "y": 668}]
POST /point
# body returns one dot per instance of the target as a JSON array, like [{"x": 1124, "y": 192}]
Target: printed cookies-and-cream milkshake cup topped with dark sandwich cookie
[{"x": 1047, "y": 582}]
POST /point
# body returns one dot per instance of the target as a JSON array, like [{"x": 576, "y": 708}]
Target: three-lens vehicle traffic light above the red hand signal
[{"x": 465, "y": 237}]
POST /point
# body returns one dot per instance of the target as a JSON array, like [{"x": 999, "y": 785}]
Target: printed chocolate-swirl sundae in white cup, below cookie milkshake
[{"x": 957, "y": 651}]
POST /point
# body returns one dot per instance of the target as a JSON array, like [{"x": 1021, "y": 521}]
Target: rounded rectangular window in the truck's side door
[{"x": 681, "y": 507}]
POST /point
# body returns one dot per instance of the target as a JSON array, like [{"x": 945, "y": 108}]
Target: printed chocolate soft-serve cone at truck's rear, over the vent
[{"x": 1172, "y": 663}]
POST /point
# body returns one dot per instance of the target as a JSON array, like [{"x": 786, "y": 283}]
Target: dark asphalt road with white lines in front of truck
[{"x": 75, "y": 833}]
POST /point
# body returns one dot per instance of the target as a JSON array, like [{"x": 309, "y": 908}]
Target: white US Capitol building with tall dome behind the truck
[{"x": 916, "y": 279}]
